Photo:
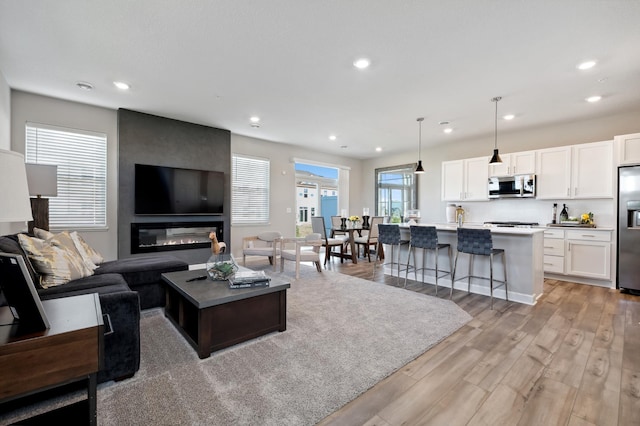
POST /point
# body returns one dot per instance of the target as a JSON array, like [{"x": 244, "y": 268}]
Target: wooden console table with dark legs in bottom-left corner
[{"x": 70, "y": 351}]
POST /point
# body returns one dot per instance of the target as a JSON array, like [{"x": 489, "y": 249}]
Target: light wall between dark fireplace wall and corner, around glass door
[{"x": 283, "y": 190}]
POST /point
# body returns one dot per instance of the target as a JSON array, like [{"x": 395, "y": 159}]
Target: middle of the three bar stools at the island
[{"x": 426, "y": 238}]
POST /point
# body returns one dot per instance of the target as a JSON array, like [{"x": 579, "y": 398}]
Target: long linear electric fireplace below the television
[{"x": 169, "y": 236}]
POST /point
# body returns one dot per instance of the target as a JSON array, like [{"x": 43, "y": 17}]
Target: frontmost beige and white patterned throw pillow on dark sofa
[{"x": 56, "y": 264}]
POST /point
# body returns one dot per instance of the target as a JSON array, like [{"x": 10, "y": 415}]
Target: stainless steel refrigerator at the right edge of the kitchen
[{"x": 629, "y": 228}]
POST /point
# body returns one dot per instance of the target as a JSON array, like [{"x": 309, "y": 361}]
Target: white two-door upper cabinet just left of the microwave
[{"x": 465, "y": 180}]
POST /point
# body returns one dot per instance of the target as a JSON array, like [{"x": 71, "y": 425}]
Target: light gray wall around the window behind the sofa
[{"x": 42, "y": 109}]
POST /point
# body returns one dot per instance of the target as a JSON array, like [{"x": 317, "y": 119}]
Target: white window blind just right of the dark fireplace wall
[{"x": 250, "y": 190}]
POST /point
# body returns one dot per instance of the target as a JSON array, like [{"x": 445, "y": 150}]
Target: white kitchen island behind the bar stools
[{"x": 524, "y": 252}]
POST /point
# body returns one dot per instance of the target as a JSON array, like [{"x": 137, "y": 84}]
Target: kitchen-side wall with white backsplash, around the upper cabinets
[{"x": 433, "y": 209}]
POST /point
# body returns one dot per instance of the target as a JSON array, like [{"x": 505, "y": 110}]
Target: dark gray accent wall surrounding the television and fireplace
[{"x": 149, "y": 139}]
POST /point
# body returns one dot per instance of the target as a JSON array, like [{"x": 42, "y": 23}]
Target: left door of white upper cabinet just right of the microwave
[{"x": 553, "y": 174}]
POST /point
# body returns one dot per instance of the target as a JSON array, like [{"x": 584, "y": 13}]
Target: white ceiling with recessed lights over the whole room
[{"x": 218, "y": 62}]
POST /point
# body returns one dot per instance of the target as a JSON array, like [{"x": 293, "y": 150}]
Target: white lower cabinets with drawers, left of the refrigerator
[{"x": 581, "y": 253}]
